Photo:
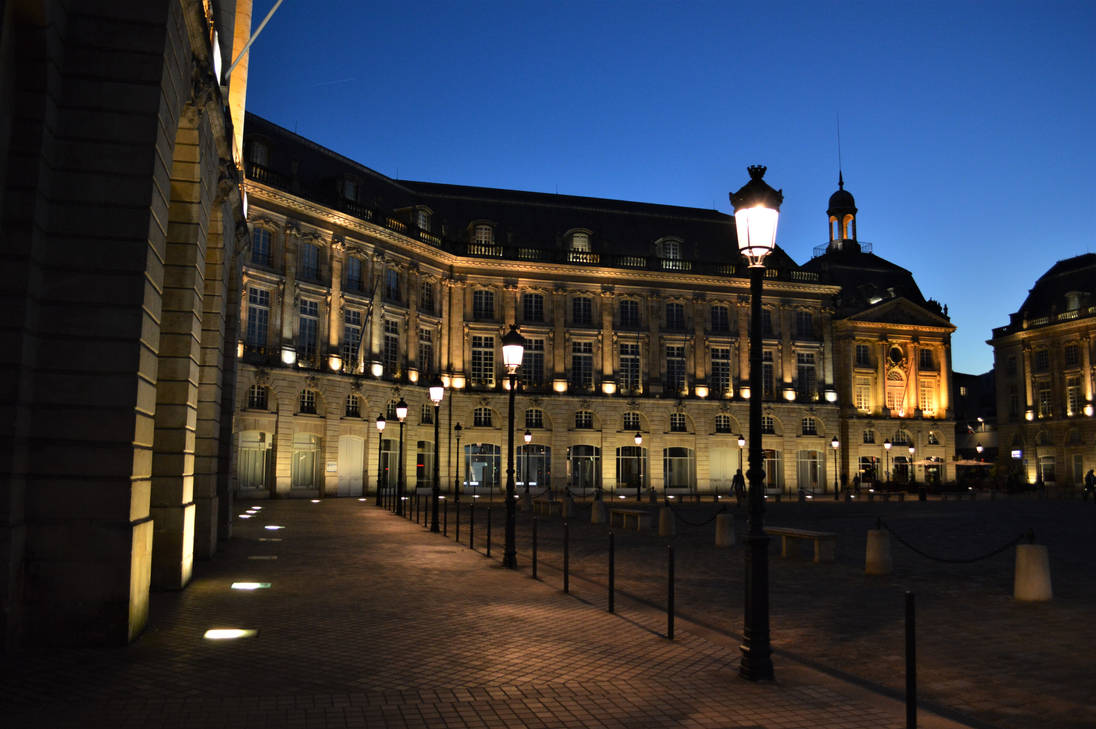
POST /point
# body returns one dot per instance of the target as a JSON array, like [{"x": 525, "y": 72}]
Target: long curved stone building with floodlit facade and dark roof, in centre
[{"x": 360, "y": 290}]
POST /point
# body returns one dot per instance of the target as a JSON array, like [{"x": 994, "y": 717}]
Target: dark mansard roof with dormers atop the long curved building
[{"x": 520, "y": 219}]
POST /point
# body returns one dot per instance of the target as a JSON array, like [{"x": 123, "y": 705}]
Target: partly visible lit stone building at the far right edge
[{"x": 1045, "y": 363}]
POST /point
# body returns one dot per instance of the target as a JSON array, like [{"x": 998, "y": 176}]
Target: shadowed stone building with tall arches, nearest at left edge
[{"x": 122, "y": 214}]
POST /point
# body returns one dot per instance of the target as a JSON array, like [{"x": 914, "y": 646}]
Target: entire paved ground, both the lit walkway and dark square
[{"x": 372, "y": 621}]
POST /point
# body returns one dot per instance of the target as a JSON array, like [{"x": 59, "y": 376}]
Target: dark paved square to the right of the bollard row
[{"x": 981, "y": 656}]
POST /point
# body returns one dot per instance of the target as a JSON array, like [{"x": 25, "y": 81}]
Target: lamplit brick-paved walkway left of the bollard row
[{"x": 370, "y": 621}]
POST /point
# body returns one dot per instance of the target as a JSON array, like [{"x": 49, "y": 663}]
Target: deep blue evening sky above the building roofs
[{"x": 968, "y": 130}]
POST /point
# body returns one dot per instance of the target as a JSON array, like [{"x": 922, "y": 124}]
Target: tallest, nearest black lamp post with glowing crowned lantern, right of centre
[{"x": 757, "y": 211}]
